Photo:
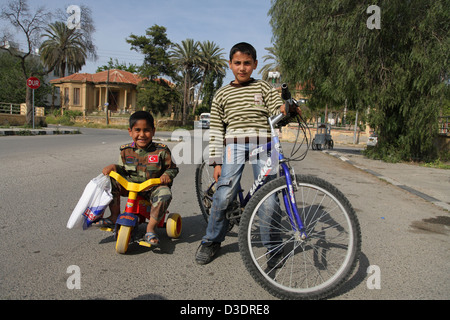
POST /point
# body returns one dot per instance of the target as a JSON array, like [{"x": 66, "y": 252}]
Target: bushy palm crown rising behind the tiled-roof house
[{"x": 64, "y": 50}]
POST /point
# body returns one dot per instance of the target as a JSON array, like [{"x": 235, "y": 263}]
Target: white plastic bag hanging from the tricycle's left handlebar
[{"x": 92, "y": 204}]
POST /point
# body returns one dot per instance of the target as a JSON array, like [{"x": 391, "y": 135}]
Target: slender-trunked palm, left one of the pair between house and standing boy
[{"x": 186, "y": 57}]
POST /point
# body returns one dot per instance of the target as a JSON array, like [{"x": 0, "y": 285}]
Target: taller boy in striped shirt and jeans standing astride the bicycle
[{"x": 239, "y": 122}]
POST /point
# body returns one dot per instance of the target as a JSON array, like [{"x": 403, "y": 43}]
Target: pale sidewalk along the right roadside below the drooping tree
[{"x": 430, "y": 184}]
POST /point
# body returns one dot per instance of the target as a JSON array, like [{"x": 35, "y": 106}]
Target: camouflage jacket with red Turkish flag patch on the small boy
[{"x": 138, "y": 165}]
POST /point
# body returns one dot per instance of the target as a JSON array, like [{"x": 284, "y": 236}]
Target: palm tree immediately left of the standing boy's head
[{"x": 210, "y": 61}]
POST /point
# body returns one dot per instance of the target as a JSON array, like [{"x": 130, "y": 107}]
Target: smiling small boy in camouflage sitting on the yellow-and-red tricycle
[{"x": 139, "y": 161}]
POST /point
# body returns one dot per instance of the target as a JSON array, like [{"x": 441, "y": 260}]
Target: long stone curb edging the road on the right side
[{"x": 404, "y": 187}]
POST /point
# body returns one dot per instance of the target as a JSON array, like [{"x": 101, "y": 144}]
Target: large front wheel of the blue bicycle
[{"x": 275, "y": 254}]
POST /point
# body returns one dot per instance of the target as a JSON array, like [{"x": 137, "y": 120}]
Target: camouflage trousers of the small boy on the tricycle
[{"x": 159, "y": 197}]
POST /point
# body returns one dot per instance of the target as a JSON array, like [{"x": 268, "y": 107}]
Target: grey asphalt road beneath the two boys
[{"x": 42, "y": 178}]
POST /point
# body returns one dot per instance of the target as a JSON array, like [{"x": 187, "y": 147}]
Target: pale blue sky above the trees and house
[{"x": 226, "y": 22}]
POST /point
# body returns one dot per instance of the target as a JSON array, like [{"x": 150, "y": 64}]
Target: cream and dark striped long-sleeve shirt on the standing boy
[{"x": 239, "y": 112}]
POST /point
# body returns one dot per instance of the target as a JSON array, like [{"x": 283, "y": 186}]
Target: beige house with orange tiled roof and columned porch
[{"x": 87, "y": 92}]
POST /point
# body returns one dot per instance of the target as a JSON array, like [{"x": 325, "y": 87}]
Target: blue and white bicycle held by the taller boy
[{"x": 314, "y": 233}]
